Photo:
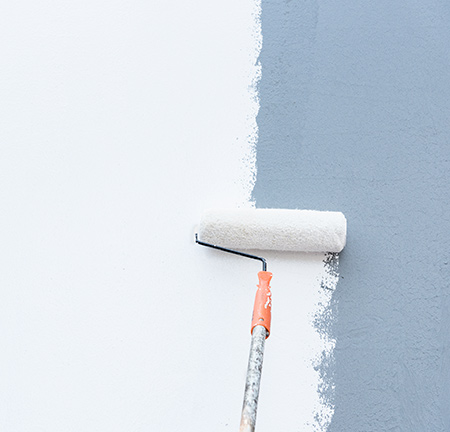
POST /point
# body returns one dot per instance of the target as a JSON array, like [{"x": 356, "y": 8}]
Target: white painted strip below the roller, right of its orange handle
[{"x": 289, "y": 398}]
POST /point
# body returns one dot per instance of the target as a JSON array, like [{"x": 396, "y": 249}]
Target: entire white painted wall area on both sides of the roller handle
[{"x": 120, "y": 122}]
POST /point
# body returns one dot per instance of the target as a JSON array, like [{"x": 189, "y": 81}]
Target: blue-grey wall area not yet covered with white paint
[{"x": 355, "y": 116}]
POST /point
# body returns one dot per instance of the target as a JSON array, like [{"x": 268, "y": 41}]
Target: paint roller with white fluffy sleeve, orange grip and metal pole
[{"x": 233, "y": 231}]
